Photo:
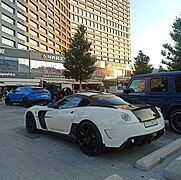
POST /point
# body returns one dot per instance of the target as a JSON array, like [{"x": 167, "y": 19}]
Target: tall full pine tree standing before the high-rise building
[{"x": 79, "y": 62}]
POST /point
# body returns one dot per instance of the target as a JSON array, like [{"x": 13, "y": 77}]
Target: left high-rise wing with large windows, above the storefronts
[{"x": 41, "y": 25}]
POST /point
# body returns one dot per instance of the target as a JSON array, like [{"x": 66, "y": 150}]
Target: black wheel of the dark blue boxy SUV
[{"x": 175, "y": 121}]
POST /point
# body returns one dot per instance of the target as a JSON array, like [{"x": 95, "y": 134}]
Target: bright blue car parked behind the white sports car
[{"x": 28, "y": 96}]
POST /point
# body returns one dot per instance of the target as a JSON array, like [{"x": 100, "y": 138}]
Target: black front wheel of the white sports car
[{"x": 30, "y": 123}]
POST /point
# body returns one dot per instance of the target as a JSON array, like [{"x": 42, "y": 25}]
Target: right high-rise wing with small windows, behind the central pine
[{"x": 108, "y": 28}]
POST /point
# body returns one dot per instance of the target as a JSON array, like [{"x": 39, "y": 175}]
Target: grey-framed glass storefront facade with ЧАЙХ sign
[{"x": 29, "y": 64}]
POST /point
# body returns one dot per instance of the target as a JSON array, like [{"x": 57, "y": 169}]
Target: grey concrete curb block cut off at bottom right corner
[{"x": 173, "y": 170}]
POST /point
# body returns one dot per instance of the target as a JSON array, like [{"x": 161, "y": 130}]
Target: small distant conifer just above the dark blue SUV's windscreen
[{"x": 141, "y": 64}]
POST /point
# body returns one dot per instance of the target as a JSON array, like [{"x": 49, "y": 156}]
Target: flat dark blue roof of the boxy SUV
[{"x": 170, "y": 73}]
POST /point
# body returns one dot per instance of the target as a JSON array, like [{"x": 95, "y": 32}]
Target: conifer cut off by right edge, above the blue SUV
[{"x": 172, "y": 53}]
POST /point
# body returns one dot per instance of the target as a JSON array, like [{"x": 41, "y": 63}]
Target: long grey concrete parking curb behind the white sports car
[{"x": 151, "y": 160}]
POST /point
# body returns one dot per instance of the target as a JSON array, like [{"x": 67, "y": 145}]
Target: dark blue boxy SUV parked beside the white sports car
[{"x": 159, "y": 89}]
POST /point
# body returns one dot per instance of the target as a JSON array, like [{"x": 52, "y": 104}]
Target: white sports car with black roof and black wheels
[{"x": 97, "y": 120}]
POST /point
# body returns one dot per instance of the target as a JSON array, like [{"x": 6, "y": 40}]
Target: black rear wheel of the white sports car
[{"x": 89, "y": 139}]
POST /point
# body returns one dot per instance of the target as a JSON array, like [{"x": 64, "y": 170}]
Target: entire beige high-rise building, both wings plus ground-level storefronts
[{"x": 34, "y": 33}]
